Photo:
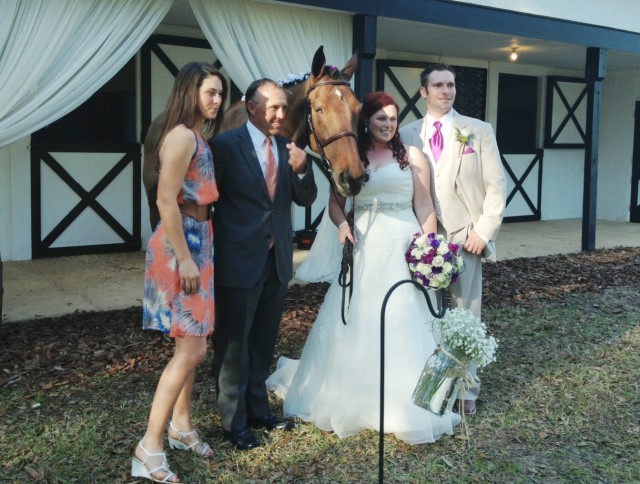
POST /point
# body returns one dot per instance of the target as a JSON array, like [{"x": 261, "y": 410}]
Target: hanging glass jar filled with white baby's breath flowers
[{"x": 464, "y": 341}]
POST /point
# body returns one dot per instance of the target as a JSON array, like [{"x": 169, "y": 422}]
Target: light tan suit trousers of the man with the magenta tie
[{"x": 467, "y": 293}]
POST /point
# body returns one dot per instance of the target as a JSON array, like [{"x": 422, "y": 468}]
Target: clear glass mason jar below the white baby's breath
[{"x": 441, "y": 380}]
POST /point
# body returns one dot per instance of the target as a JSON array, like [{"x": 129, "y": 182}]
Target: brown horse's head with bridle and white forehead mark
[{"x": 331, "y": 118}]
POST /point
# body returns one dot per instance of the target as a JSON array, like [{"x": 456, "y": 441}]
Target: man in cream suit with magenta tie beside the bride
[{"x": 468, "y": 184}]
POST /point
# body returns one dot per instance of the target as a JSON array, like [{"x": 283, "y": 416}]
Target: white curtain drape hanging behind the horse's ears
[{"x": 256, "y": 39}]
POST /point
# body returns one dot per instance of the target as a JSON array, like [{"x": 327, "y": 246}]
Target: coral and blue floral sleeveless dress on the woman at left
[{"x": 165, "y": 307}]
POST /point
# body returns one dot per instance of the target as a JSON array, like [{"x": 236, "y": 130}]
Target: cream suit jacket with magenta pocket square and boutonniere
[{"x": 468, "y": 184}]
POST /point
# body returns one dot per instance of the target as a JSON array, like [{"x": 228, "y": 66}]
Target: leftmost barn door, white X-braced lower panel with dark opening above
[{"x": 85, "y": 175}]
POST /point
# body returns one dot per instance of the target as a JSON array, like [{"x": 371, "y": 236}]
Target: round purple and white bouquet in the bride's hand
[{"x": 433, "y": 261}]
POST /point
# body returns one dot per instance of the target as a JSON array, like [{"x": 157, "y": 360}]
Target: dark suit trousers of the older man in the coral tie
[{"x": 246, "y": 329}]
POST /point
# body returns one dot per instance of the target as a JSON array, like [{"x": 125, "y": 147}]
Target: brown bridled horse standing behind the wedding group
[{"x": 322, "y": 114}]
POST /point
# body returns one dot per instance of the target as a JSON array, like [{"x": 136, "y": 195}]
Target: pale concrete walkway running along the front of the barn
[{"x": 62, "y": 285}]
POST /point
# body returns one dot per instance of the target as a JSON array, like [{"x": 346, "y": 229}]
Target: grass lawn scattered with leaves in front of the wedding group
[{"x": 561, "y": 404}]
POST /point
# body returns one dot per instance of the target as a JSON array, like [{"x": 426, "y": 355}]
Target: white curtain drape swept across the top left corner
[{"x": 54, "y": 54}]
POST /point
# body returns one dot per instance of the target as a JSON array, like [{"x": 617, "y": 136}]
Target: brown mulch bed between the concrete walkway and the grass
[{"x": 53, "y": 352}]
